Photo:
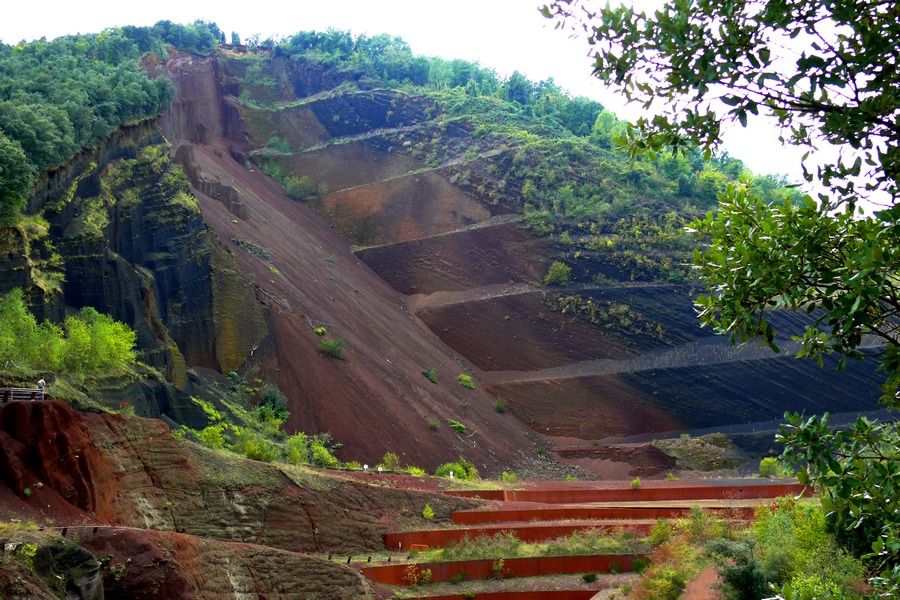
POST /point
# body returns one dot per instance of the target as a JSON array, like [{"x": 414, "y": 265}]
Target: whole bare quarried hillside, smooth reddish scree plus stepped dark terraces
[{"x": 429, "y": 262}]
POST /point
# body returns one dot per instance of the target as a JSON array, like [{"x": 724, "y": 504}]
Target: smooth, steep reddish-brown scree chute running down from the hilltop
[{"x": 376, "y": 400}]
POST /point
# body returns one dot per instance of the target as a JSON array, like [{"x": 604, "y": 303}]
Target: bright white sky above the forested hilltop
[{"x": 504, "y": 35}]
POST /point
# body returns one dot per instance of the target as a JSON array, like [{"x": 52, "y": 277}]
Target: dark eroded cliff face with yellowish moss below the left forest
[{"x": 130, "y": 241}]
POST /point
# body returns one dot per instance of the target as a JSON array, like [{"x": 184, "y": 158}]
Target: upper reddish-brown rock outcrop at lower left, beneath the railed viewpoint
[{"x": 116, "y": 470}]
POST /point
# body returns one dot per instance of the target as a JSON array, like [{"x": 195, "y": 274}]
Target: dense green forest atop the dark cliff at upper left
[{"x": 70, "y": 93}]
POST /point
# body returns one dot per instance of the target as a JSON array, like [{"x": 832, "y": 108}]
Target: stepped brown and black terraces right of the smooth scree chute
[{"x": 471, "y": 272}]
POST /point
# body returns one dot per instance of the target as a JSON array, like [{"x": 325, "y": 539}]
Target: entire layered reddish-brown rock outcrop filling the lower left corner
[{"x": 172, "y": 520}]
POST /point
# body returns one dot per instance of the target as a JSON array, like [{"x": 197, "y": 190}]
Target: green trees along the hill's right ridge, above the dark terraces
[{"x": 551, "y": 130}]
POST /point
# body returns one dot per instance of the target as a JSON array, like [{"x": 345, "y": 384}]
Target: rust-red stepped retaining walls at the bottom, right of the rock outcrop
[{"x": 543, "y": 512}]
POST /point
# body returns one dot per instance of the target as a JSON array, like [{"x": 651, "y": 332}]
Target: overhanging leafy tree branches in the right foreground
[{"x": 827, "y": 74}]
